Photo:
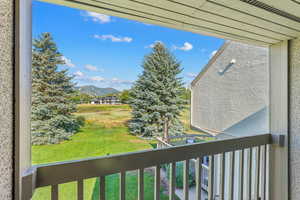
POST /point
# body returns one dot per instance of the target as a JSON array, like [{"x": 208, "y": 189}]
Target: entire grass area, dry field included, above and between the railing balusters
[{"x": 105, "y": 133}]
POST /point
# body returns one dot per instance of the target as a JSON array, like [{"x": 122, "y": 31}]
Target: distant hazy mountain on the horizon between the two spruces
[{"x": 95, "y": 91}]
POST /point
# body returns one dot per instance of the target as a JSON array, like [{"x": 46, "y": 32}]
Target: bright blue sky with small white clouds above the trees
[{"x": 107, "y": 51}]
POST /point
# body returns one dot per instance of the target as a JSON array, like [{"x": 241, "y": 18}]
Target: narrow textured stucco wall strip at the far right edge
[{"x": 294, "y": 122}]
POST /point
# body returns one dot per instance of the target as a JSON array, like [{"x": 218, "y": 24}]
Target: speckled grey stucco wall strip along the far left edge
[{"x": 6, "y": 99}]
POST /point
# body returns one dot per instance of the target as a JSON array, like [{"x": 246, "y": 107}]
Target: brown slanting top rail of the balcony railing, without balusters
[{"x": 64, "y": 172}]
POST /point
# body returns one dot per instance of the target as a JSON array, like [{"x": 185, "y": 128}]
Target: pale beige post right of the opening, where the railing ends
[{"x": 279, "y": 162}]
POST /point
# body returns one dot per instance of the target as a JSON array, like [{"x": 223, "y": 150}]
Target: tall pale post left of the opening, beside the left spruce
[{"x": 22, "y": 83}]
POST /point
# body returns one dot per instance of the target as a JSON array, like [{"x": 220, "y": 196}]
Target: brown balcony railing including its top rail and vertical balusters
[{"x": 237, "y": 169}]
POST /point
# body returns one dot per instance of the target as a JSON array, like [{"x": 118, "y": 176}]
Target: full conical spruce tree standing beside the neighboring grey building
[{"x": 156, "y": 97}]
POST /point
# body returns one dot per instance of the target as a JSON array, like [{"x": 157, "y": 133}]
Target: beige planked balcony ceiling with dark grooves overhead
[{"x": 261, "y": 22}]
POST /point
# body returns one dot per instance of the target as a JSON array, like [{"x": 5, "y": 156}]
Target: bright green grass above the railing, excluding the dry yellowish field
[{"x": 93, "y": 140}]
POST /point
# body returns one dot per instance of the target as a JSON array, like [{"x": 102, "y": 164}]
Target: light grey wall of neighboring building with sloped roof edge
[{"x": 220, "y": 100}]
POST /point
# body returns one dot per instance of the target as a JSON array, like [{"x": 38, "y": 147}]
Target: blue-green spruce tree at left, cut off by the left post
[{"x": 52, "y": 90}]
